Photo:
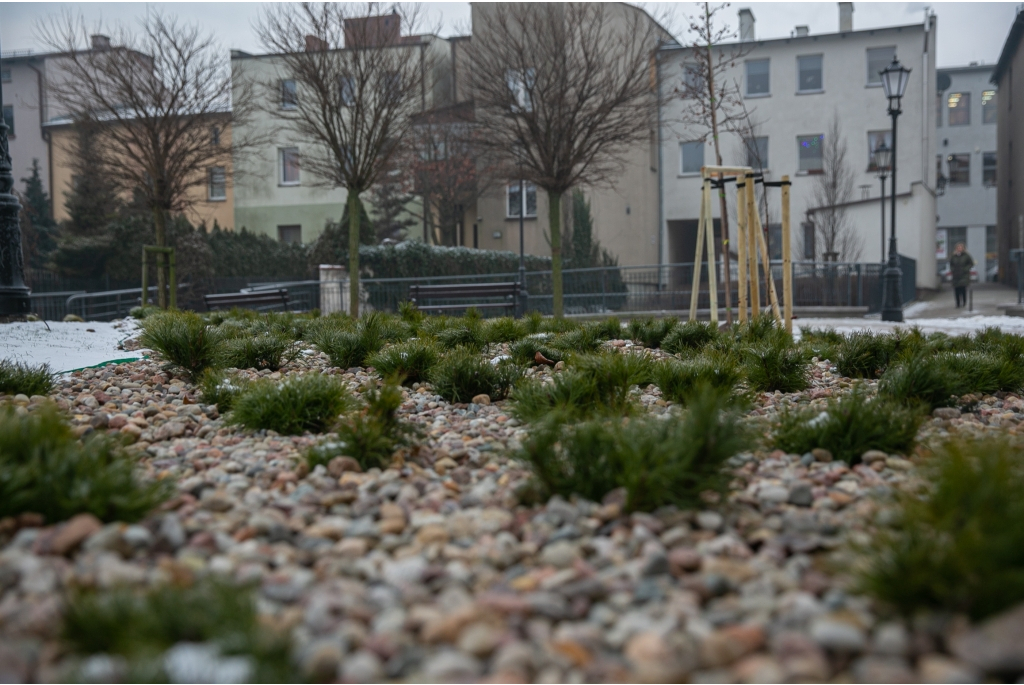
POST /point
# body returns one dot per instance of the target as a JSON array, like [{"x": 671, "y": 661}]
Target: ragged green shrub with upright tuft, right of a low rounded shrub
[{"x": 371, "y": 436}]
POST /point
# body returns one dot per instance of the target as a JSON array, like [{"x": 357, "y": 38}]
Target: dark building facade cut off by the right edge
[{"x": 1008, "y": 77}]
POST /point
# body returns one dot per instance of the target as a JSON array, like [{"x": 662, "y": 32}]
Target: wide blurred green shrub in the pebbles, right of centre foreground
[{"x": 659, "y": 462}]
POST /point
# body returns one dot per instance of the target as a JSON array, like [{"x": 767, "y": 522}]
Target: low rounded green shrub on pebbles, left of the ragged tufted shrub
[{"x": 300, "y": 404}]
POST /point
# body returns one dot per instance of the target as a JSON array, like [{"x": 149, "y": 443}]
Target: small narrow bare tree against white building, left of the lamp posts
[{"x": 833, "y": 190}]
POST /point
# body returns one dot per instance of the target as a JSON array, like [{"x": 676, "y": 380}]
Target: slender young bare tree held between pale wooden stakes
[{"x": 712, "y": 105}]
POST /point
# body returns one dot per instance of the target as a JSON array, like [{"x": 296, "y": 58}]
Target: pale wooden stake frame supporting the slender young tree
[{"x": 751, "y": 245}]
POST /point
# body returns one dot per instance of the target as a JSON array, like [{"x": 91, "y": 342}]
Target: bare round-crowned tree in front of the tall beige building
[{"x": 563, "y": 94}]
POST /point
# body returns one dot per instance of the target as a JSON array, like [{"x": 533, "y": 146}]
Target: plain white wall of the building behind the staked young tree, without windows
[{"x": 784, "y": 115}]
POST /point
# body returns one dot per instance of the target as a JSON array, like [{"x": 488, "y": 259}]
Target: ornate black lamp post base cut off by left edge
[{"x": 14, "y": 292}]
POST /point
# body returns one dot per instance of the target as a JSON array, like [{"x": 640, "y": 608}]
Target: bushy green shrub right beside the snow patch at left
[{"x": 184, "y": 339}]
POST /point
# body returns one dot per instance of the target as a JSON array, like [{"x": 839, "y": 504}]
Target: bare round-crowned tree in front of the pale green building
[{"x": 359, "y": 85}]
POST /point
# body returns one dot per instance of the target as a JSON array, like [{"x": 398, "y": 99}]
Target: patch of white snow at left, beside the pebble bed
[{"x": 66, "y": 346}]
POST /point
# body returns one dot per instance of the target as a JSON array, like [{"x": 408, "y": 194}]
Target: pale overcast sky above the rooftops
[{"x": 968, "y": 31}]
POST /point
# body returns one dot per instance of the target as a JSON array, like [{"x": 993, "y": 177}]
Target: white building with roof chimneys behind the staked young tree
[{"x": 792, "y": 88}]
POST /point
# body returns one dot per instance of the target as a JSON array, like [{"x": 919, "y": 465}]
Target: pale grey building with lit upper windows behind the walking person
[{"x": 966, "y": 138}]
